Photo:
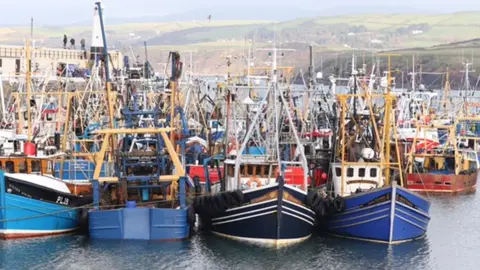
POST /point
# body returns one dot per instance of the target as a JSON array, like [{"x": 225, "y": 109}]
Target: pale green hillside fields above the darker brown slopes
[{"x": 329, "y": 31}]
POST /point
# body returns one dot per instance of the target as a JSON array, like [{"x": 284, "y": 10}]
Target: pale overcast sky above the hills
[{"x": 62, "y": 12}]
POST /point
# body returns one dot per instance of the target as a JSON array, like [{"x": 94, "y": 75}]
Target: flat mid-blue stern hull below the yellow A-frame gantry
[{"x": 139, "y": 224}]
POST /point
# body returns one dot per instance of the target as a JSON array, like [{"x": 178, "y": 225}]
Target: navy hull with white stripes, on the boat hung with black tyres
[{"x": 274, "y": 216}]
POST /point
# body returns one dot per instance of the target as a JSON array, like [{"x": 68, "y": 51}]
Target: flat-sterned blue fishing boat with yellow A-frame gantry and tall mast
[{"x": 146, "y": 197}]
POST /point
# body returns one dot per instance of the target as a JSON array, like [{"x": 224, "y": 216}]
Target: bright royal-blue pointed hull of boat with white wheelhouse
[{"x": 386, "y": 215}]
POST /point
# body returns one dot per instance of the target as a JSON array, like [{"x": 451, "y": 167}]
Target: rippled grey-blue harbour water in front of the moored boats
[{"x": 452, "y": 243}]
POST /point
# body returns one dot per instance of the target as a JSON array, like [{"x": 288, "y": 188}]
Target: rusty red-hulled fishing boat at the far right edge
[{"x": 449, "y": 168}]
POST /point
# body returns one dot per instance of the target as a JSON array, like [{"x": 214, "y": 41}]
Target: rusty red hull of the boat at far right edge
[{"x": 442, "y": 183}]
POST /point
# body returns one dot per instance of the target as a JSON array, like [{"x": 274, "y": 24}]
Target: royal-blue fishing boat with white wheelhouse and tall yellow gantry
[{"x": 363, "y": 202}]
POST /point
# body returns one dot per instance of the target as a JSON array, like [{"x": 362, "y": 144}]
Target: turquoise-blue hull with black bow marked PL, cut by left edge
[{"x": 34, "y": 205}]
